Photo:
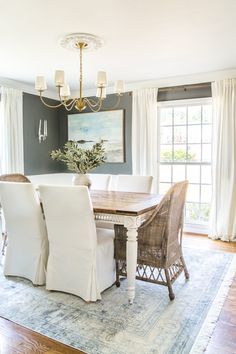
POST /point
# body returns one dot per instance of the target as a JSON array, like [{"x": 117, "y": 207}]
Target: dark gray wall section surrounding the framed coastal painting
[{"x": 126, "y": 105}]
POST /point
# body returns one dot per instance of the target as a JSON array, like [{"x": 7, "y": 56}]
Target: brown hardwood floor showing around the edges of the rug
[{"x": 17, "y": 339}]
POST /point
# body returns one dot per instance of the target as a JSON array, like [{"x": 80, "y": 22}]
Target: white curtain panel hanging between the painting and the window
[{"x": 144, "y": 134}]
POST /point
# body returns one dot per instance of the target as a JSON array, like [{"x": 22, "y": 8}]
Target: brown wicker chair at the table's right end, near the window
[{"x": 160, "y": 259}]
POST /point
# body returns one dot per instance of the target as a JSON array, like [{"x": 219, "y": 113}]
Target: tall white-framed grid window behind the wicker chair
[{"x": 185, "y": 153}]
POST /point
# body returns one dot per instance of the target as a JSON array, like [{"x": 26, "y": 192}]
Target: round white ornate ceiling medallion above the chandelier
[{"x": 91, "y": 42}]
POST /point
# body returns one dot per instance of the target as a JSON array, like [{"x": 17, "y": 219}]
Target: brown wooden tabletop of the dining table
[{"x": 124, "y": 203}]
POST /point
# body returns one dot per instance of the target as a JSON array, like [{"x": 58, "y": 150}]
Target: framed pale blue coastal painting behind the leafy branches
[{"x": 90, "y": 128}]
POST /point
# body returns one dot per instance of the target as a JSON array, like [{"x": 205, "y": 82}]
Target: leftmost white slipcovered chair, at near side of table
[{"x": 27, "y": 249}]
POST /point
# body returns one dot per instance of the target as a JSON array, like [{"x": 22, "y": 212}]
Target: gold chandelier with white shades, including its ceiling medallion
[{"x": 75, "y": 42}]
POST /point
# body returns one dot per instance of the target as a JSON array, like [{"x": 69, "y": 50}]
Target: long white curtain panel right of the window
[{"x": 223, "y": 214}]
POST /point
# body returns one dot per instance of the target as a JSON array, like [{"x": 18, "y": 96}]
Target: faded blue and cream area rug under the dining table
[{"x": 152, "y": 325}]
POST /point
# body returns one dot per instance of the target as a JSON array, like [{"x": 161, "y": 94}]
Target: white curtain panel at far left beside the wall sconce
[{"x": 11, "y": 131}]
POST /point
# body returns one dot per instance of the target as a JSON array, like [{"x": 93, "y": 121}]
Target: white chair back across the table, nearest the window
[{"x": 137, "y": 184}]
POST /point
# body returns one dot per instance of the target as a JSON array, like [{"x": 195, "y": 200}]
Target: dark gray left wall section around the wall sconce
[{"x": 36, "y": 155}]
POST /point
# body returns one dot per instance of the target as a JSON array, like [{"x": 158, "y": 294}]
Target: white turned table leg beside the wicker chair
[{"x": 132, "y": 225}]
